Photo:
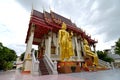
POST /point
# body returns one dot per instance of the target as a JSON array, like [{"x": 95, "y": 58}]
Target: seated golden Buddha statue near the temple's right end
[{"x": 90, "y": 53}]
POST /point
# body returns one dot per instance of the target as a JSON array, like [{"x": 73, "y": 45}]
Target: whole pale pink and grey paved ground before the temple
[{"x": 99, "y": 75}]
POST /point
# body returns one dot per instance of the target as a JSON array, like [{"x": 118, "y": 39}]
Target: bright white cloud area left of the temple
[{"x": 13, "y": 24}]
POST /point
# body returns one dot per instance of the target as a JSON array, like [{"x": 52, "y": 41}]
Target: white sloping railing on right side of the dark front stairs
[{"x": 52, "y": 65}]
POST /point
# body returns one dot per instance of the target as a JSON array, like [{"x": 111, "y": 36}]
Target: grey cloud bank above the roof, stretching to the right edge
[{"x": 100, "y": 18}]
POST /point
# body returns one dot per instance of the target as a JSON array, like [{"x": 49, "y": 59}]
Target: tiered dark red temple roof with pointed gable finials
[{"x": 52, "y": 21}]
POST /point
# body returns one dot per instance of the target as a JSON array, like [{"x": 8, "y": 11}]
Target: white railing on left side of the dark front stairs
[{"x": 35, "y": 64}]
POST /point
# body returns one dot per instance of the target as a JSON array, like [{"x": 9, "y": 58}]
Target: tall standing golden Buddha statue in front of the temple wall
[{"x": 64, "y": 40}]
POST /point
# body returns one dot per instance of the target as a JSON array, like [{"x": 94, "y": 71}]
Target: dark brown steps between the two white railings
[{"x": 43, "y": 68}]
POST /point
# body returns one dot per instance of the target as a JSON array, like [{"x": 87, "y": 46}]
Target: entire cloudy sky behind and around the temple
[{"x": 98, "y": 18}]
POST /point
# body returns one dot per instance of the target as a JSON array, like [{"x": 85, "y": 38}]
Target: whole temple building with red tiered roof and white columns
[{"x": 43, "y": 31}]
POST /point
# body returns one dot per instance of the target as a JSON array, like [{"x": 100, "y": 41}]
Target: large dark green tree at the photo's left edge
[{"x": 7, "y": 56}]
